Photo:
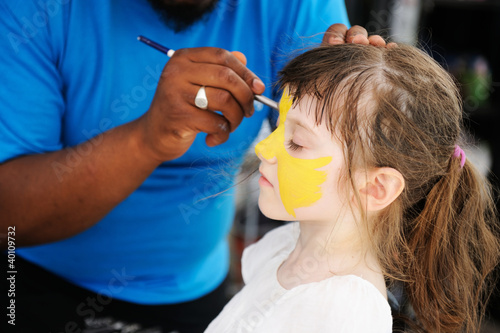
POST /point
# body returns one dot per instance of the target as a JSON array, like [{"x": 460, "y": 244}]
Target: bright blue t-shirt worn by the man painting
[{"x": 73, "y": 69}]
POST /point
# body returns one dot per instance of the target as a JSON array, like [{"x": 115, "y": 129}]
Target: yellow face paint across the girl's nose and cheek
[{"x": 299, "y": 180}]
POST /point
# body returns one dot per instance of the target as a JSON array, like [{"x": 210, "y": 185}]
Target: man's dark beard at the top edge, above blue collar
[{"x": 180, "y": 16}]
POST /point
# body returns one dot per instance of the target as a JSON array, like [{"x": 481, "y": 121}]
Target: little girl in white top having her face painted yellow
[{"x": 367, "y": 159}]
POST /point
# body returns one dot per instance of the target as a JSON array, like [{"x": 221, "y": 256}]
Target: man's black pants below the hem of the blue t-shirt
[{"x": 45, "y": 303}]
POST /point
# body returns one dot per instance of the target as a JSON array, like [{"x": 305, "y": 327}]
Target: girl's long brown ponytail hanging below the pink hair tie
[{"x": 453, "y": 247}]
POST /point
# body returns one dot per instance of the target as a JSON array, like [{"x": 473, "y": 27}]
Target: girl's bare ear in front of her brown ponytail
[{"x": 380, "y": 187}]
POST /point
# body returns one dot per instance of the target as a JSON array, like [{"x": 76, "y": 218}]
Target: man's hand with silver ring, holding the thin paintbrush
[{"x": 173, "y": 120}]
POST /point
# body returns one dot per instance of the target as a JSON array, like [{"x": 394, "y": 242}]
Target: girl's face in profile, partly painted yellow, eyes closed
[{"x": 301, "y": 164}]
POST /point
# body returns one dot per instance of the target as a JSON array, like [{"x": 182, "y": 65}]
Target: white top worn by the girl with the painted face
[{"x": 345, "y": 303}]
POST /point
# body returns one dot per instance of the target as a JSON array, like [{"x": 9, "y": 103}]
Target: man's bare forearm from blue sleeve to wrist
[{"x": 47, "y": 199}]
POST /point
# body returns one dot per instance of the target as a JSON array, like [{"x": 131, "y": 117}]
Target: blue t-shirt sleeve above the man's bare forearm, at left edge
[{"x": 31, "y": 95}]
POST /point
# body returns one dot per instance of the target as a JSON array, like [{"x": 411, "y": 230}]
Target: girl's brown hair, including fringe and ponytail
[{"x": 396, "y": 107}]
